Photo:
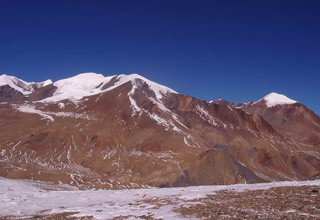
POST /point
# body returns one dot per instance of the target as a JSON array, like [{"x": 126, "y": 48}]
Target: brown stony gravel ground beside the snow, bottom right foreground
[{"x": 277, "y": 203}]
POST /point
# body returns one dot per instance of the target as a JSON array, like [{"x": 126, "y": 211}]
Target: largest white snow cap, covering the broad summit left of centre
[{"x": 88, "y": 84}]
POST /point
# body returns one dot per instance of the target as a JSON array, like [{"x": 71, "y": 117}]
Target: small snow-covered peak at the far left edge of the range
[{"x": 15, "y": 83}]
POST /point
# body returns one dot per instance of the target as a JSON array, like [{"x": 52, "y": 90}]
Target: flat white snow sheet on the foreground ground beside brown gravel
[{"x": 28, "y": 198}]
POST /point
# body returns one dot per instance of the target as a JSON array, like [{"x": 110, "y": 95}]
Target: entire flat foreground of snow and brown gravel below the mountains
[{"x": 279, "y": 200}]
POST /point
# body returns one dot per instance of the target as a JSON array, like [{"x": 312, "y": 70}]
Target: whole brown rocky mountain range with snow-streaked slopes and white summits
[{"x": 125, "y": 131}]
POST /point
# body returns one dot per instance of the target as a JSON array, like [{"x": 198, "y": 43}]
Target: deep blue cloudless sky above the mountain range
[{"x": 237, "y": 50}]
